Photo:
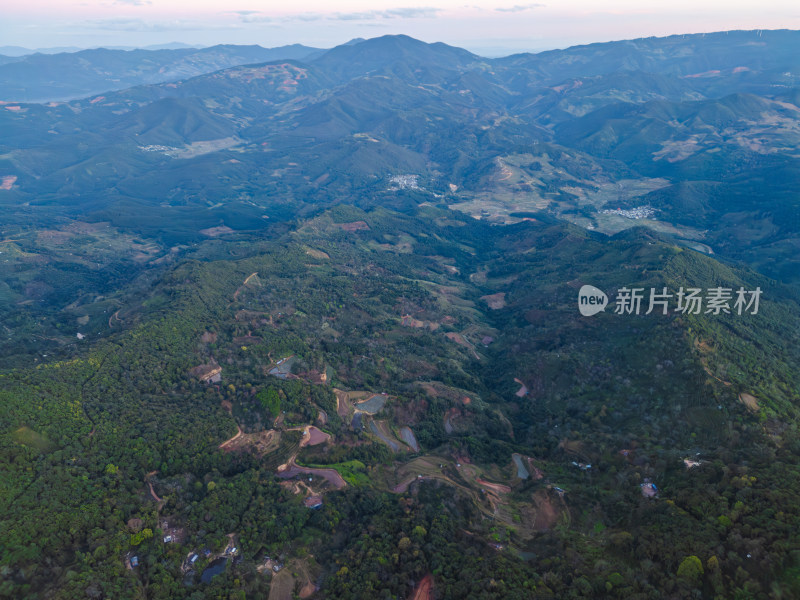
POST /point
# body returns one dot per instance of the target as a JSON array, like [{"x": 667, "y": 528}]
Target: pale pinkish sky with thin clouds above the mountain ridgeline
[{"x": 490, "y": 28}]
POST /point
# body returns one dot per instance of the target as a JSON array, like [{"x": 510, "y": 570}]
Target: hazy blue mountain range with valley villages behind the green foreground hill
[{"x": 579, "y": 133}]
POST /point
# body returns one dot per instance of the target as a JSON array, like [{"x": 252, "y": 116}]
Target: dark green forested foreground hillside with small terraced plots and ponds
[{"x": 439, "y": 322}]
